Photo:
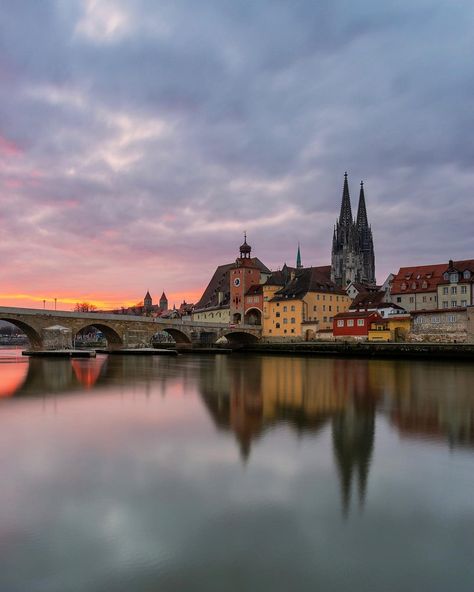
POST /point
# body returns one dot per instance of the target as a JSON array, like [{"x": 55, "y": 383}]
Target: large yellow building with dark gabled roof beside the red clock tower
[{"x": 298, "y": 303}]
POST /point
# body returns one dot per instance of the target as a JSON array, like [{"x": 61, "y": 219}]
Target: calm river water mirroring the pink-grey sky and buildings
[{"x": 236, "y": 474}]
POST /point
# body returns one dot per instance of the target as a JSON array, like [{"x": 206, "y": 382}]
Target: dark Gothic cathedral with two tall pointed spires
[{"x": 353, "y": 258}]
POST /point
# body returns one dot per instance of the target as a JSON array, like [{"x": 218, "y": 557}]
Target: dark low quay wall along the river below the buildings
[{"x": 368, "y": 349}]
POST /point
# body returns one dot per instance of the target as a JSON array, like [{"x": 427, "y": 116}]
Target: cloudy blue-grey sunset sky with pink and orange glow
[{"x": 139, "y": 139}]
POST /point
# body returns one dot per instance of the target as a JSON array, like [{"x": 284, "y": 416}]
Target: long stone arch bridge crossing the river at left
[{"x": 122, "y": 330}]
